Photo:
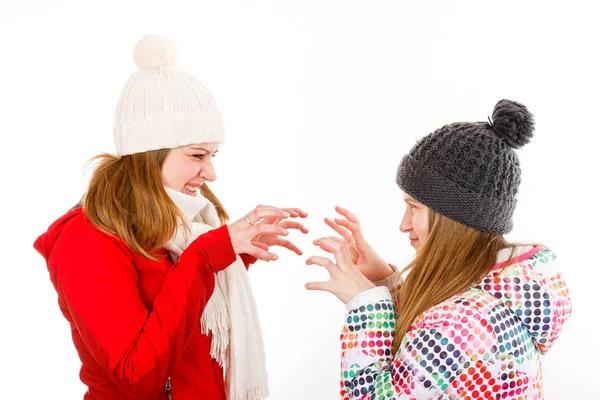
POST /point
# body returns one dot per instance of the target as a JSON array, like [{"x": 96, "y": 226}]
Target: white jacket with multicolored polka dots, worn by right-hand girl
[{"x": 485, "y": 343}]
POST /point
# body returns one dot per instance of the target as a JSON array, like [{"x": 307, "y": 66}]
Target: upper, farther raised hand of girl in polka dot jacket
[{"x": 368, "y": 262}]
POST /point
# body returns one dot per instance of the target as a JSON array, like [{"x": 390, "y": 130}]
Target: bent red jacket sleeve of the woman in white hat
[{"x": 137, "y": 346}]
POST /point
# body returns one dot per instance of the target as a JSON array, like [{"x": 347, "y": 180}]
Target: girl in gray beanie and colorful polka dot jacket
[{"x": 472, "y": 314}]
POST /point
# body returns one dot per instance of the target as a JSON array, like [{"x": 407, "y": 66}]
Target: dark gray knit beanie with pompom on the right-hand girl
[{"x": 469, "y": 171}]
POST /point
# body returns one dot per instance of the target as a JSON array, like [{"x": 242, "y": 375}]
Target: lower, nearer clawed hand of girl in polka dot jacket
[{"x": 346, "y": 280}]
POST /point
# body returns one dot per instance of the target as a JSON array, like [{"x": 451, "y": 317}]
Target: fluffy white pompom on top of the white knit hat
[{"x": 155, "y": 51}]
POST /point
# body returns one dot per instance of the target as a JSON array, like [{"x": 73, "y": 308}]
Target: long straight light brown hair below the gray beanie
[{"x": 452, "y": 259}]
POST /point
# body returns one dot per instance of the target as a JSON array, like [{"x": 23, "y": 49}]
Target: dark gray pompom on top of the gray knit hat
[{"x": 513, "y": 122}]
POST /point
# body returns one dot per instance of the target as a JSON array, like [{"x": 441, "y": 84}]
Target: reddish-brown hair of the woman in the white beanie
[{"x": 126, "y": 198}]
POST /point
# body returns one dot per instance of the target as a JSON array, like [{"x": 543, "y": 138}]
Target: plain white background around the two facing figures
[{"x": 321, "y": 100}]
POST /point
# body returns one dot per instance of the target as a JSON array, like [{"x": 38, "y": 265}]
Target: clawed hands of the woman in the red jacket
[{"x": 260, "y": 223}]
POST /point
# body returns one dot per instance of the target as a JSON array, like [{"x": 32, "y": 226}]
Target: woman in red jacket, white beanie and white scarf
[{"x": 149, "y": 276}]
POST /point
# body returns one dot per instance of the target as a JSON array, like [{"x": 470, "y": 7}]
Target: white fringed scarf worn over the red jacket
[{"x": 230, "y": 315}]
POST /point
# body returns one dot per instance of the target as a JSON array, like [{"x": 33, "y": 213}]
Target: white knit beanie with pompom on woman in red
[{"x": 162, "y": 106}]
